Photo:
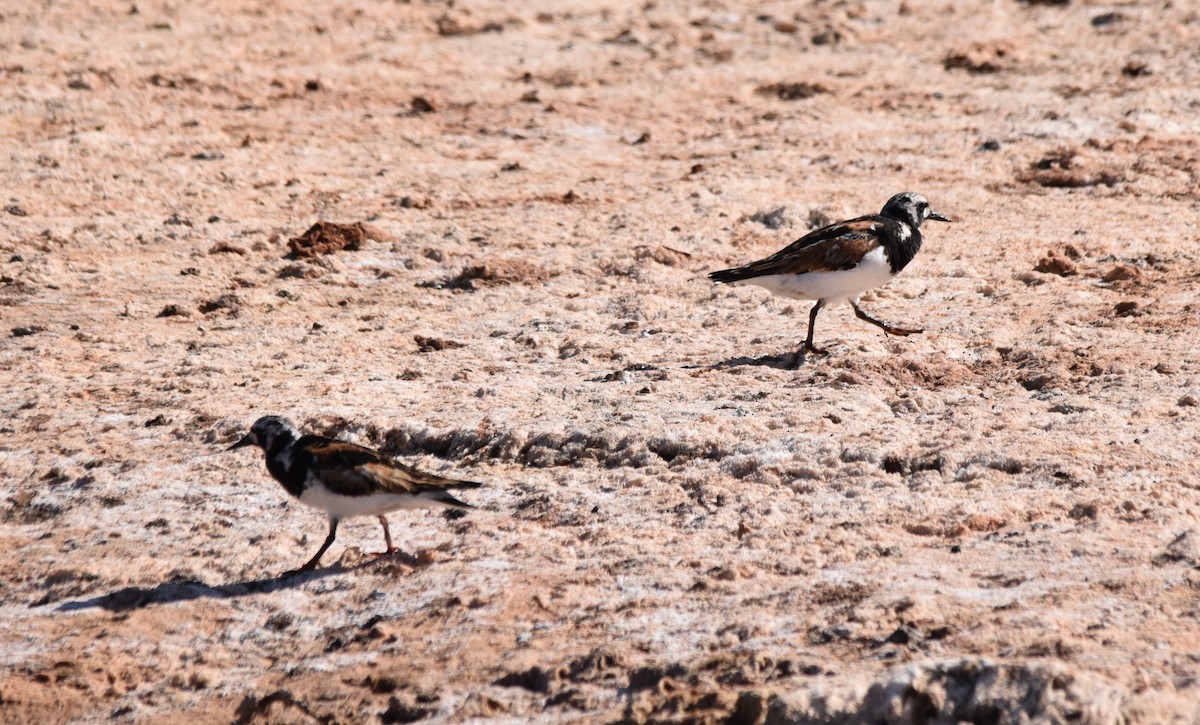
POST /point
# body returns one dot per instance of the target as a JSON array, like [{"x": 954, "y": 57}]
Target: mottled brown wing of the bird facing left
[{"x": 357, "y": 471}]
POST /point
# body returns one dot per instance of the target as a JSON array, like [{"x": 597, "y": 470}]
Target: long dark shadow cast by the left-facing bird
[{"x": 135, "y": 598}]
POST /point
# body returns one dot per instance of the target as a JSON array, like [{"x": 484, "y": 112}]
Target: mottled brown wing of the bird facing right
[{"x": 835, "y": 248}]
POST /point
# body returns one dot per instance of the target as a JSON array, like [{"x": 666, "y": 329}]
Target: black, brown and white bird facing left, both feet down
[{"x": 345, "y": 480}]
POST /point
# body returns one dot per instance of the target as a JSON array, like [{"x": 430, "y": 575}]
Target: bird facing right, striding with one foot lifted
[{"x": 838, "y": 263}]
